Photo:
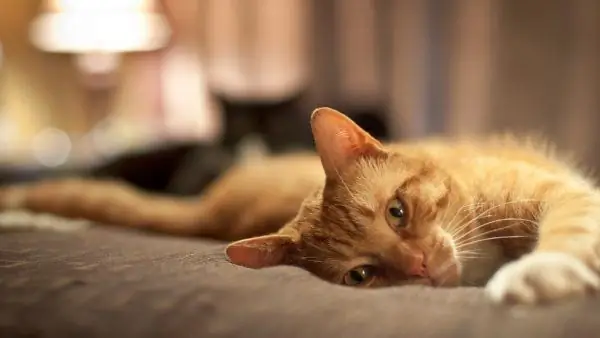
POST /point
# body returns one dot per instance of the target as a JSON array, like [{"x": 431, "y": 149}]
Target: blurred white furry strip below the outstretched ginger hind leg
[{"x": 17, "y": 220}]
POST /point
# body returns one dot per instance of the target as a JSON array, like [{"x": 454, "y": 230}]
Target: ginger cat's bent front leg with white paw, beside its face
[{"x": 565, "y": 263}]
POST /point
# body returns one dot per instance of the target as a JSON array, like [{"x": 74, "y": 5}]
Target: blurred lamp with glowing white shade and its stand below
[{"x": 97, "y": 33}]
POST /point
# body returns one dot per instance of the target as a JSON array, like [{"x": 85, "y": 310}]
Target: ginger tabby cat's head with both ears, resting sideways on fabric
[{"x": 382, "y": 217}]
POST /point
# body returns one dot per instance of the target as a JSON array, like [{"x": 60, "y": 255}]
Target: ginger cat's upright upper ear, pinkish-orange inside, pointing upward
[{"x": 340, "y": 141}]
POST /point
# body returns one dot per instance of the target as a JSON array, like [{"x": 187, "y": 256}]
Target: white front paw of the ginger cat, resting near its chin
[{"x": 540, "y": 278}]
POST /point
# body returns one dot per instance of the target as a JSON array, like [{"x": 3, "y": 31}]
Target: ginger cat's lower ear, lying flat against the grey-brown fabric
[{"x": 260, "y": 252}]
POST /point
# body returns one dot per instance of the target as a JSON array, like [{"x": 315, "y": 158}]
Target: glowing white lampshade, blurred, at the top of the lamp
[{"x": 92, "y": 26}]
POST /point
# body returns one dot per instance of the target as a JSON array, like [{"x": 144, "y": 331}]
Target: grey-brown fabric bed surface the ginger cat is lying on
[{"x": 107, "y": 282}]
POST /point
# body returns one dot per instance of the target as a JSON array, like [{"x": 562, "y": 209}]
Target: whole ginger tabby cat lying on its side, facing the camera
[{"x": 507, "y": 214}]
